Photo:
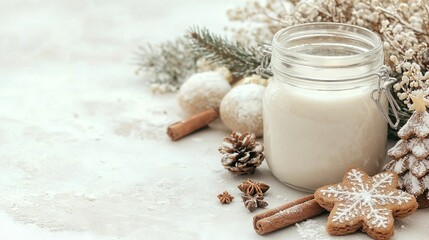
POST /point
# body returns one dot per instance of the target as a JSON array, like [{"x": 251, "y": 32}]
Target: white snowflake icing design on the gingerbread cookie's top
[{"x": 356, "y": 197}]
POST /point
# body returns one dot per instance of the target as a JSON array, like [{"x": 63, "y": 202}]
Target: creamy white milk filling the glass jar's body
[{"x": 313, "y": 137}]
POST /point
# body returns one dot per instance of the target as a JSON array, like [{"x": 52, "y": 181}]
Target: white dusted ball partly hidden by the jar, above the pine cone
[{"x": 241, "y": 109}]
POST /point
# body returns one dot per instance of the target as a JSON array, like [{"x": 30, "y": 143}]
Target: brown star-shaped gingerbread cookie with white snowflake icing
[{"x": 361, "y": 201}]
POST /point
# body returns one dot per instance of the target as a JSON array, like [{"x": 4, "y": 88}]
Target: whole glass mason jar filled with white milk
[{"x": 319, "y": 117}]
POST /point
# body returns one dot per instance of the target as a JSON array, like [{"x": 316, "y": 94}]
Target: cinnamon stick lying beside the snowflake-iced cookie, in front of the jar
[{"x": 287, "y": 214}]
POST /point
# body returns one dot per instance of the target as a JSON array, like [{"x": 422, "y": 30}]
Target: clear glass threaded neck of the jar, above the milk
[{"x": 326, "y": 54}]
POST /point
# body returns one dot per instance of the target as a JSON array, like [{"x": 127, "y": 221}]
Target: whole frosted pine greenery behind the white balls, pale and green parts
[{"x": 171, "y": 63}]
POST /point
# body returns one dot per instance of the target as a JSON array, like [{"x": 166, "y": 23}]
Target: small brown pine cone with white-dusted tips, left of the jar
[{"x": 242, "y": 153}]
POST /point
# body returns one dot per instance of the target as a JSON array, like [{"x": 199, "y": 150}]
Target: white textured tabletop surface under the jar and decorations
[{"x": 83, "y": 154}]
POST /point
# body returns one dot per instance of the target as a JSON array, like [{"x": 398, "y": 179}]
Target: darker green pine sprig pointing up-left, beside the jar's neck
[{"x": 239, "y": 59}]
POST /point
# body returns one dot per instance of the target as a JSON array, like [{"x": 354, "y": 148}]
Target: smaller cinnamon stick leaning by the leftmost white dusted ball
[{"x": 183, "y": 128}]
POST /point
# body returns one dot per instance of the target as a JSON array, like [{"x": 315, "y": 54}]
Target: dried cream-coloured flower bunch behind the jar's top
[{"x": 402, "y": 24}]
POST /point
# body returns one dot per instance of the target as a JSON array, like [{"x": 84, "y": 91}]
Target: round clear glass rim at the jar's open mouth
[{"x": 326, "y": 25}]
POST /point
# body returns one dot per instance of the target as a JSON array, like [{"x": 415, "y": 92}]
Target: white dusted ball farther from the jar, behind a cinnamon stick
[{"x": 202, "y": 91}]
